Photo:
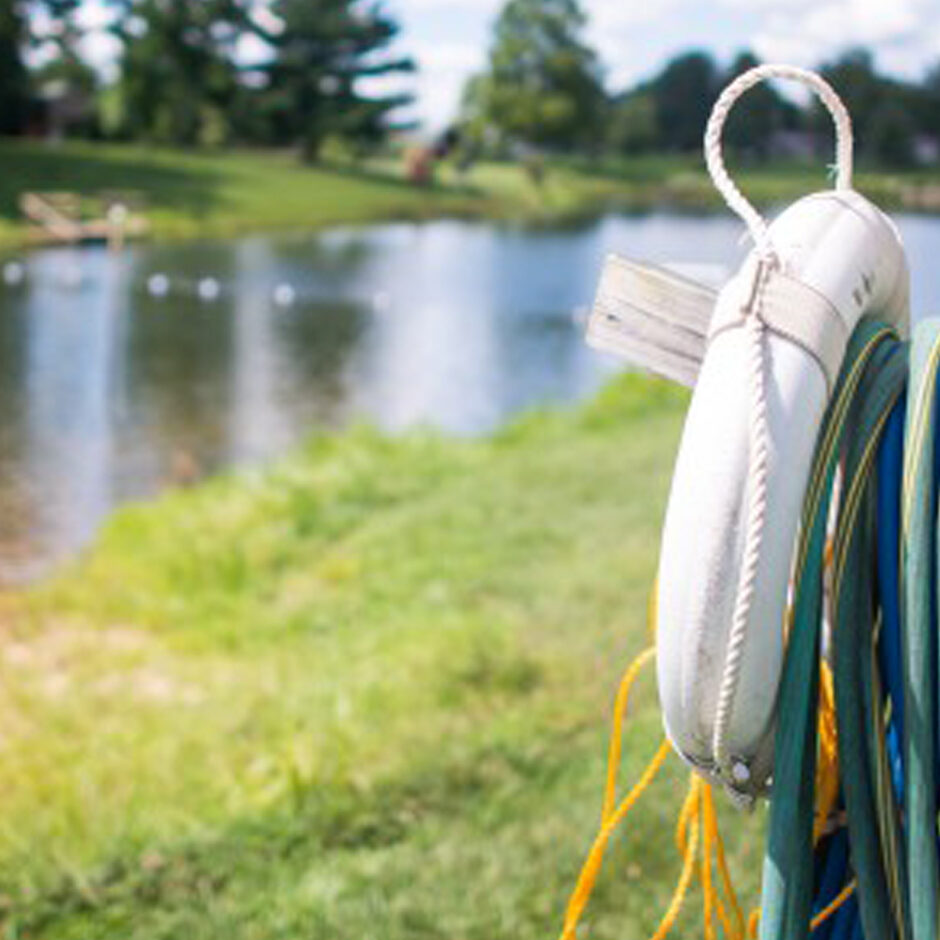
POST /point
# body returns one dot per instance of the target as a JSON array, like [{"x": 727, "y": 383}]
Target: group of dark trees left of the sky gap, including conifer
[{"x": 181, "y": 80}]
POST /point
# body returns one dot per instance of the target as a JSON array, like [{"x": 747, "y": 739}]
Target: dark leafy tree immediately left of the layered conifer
[{"x": 178, "y": 77}]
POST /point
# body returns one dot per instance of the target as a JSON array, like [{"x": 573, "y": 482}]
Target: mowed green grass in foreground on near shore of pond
[{"x": 363, "y": 693}]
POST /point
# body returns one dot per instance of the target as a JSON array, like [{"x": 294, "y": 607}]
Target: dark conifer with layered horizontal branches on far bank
[{"x": 311, "y": 87}]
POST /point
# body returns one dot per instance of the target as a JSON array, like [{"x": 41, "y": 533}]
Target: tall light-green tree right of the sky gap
[{"x": 543, "y": 86}]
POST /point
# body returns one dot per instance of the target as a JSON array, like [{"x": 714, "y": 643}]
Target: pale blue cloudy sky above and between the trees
[{"x": 449, "y": 38}]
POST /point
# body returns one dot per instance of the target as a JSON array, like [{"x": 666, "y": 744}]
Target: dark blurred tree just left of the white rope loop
[{"x": 684, "y": 93}]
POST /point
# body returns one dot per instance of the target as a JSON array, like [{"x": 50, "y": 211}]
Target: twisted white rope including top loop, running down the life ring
[{"x": 737, "y": 775}]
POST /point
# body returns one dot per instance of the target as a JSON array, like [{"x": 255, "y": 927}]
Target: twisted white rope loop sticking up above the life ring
[{"x": 737, "y": 202}]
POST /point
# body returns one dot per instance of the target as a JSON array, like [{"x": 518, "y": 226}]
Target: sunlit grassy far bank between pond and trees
[{"x": 217, "y": 194}]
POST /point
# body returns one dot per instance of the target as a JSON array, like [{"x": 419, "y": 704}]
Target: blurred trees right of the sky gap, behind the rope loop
[{"x": 544, "y": 87}]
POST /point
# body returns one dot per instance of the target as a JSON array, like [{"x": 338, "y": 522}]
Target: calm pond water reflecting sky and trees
[{"x": 108, "y": 394}]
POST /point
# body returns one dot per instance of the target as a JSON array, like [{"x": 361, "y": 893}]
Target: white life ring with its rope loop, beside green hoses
[{"x": 778, "y": 336}]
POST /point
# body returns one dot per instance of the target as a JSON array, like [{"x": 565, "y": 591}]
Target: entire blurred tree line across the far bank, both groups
[{"x": 182, "y": 78}]
